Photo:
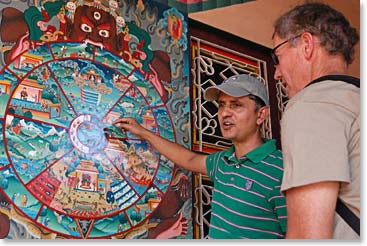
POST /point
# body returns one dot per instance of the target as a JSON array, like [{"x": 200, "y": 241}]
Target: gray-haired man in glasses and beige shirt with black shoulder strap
[{"x": 320, "y": 128}]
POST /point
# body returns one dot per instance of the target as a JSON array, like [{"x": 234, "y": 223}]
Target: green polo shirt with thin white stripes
[{"x": 247, "y": 202}]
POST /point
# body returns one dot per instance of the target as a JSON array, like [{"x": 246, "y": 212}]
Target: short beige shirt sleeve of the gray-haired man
[{"x": 314, "y": 144}]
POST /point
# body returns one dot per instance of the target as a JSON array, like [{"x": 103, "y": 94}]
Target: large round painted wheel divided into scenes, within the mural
[{"x": 67, "y": 161}]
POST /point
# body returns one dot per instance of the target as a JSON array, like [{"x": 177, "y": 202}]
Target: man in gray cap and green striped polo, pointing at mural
[{"x": 246, "y": 200}]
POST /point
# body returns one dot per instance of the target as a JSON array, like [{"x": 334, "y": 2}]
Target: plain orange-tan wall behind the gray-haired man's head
[{"x": 254, "y": 20}]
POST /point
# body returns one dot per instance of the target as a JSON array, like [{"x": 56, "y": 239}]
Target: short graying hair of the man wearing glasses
[{"x": 329, "y": 25}]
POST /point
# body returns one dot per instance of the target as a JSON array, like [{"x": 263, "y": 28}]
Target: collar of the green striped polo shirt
[{"x": 256, "y": 155}]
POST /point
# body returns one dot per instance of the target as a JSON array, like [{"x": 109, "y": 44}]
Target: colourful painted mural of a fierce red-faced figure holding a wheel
[{"x": 68, "y": 70}]
